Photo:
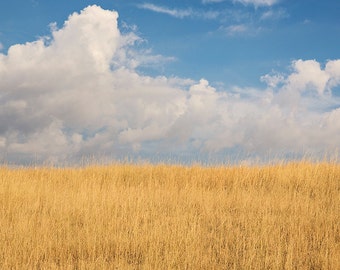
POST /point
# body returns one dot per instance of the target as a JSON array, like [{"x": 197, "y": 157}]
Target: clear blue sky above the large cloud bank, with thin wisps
[{"x": 224, "y": 41}]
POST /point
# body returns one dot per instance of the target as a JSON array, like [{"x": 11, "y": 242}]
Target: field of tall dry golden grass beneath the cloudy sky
[{"x": 123, "y": 216}]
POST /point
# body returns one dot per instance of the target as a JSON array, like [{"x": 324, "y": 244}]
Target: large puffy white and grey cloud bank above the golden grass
[{"x": 78, "y": 93}]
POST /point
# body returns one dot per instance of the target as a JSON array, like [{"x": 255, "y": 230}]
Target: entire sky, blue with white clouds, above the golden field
[{"x": 210, "y": 81}]
